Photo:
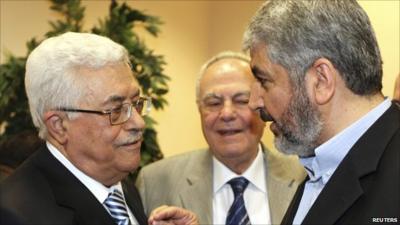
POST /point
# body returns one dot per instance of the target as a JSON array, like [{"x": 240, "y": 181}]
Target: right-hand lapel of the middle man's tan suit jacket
[{"x": 280, "y": 191}]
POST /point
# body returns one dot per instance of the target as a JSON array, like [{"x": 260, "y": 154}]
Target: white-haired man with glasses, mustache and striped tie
[{"x": 86, "y": 104}]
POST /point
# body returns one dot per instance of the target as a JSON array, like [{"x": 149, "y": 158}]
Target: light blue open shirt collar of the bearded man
[{"x": 329, "y": 155}]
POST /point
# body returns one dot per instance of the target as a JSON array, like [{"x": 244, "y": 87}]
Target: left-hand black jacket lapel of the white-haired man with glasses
[{"x": 70, "y": 193}]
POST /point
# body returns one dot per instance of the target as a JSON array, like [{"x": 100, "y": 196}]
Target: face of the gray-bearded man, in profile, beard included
[{"x": 296, "y": 121}]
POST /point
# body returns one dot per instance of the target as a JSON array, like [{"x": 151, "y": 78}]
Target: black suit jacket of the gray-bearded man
[{"x": 365, "y": 187}]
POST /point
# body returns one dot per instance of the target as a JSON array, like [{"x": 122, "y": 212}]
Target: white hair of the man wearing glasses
[{"x": 52, "y": 79}]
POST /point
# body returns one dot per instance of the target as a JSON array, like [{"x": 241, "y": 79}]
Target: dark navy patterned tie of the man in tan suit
[{"x": 237, "y": 214}]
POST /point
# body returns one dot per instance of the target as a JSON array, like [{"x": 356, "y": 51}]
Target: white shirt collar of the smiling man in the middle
[{"x": 255, "y": 173}]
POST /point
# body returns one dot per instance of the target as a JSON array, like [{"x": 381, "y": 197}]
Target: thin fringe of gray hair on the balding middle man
[{"x": 214, "y": 59}]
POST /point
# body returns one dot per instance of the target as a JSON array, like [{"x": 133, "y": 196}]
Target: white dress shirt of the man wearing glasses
[{"x": 98, "y": 190}]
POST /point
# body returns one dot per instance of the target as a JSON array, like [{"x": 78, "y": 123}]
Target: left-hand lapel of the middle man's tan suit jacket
[{"x": 196, "y": 186}]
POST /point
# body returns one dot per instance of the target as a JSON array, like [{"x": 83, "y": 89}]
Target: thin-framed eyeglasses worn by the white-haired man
[{"x": 120, "y": 114}]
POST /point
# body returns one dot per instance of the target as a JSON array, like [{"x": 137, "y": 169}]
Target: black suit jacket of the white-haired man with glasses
[{"x": 43, "y": 191}]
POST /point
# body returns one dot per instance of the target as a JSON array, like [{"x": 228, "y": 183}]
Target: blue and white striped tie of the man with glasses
[{"x": 115, "y": 204}]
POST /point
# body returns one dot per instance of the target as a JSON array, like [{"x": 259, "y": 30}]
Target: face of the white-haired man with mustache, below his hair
[{"x": 103, "y": 151}]
